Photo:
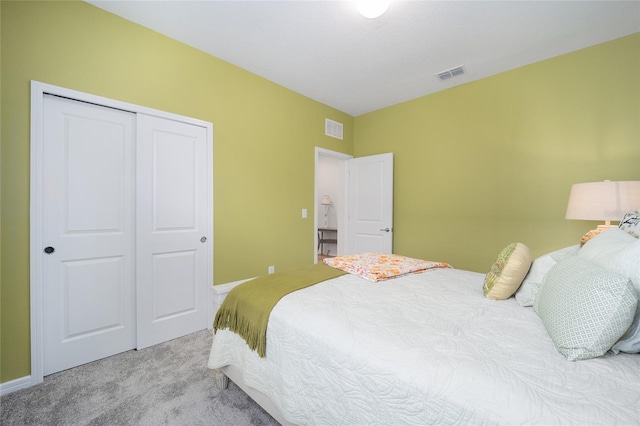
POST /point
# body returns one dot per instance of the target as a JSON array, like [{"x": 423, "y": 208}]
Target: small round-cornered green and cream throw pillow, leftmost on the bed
[{"x": 507, "y": 272}]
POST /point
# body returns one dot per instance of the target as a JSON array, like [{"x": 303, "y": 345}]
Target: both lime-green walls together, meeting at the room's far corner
[{"x": 476, "y": 166}]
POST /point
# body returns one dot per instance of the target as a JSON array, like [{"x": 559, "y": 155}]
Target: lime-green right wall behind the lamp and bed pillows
[{"x": 491, "y": 162}]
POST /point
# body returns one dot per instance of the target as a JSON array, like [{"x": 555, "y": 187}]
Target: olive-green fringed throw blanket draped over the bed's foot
[{"x": 247, "y": 307}]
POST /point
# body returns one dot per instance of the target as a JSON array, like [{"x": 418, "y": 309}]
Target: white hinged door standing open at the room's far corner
[{"x": 370, "y": 200}]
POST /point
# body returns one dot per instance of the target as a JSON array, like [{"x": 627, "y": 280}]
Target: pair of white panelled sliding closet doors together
[{"x": 122, "y": 229}]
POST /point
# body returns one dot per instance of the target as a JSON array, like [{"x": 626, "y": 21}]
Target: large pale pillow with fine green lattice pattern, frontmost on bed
[{"x": 584, "y": 307}]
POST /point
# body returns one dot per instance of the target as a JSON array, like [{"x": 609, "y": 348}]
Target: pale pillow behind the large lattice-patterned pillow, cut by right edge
[{"x": 619, "y": 252}]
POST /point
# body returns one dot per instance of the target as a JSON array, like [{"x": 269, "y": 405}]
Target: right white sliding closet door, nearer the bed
[{"x": 172, "y": 229}]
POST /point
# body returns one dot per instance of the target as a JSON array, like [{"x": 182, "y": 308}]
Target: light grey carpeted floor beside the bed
[{"x": 167, "y": 384}]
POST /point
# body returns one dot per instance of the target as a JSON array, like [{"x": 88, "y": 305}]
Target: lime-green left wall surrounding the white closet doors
[{"x": 264, "y": 140}]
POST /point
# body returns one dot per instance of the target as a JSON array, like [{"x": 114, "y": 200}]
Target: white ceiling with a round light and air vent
[{"x": 325, "y": 50}]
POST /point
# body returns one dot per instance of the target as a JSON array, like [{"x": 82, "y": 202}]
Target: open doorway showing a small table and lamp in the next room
[{"x": 331, "y": 203}]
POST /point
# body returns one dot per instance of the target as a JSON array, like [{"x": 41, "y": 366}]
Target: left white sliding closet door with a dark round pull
[{"x": 88, "y": 233}]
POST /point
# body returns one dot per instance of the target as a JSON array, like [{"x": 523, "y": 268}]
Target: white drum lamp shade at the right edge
[{"x": 603, "y": 200}]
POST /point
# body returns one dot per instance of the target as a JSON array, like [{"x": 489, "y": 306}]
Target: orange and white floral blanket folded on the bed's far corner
[{"x": 379, "y": 267}]
